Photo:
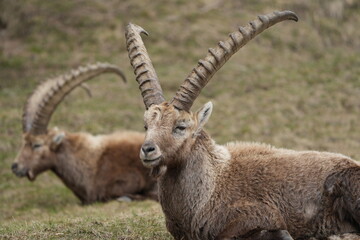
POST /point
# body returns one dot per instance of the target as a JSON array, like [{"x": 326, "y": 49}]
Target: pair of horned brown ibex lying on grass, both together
[{"x": 207, "y": 191}]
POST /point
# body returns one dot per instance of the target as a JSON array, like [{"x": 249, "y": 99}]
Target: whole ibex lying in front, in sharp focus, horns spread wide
[{"x": 240, "y": 190}]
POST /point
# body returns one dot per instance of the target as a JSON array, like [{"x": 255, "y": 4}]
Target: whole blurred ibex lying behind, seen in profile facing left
[{"x": 95, "y": 168}]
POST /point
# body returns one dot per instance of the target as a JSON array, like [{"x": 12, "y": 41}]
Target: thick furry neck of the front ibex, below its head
[{"x": 185, "y": 190}]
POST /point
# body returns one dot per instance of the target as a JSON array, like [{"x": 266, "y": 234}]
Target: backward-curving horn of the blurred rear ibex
[{"x": 43, "y": 101}]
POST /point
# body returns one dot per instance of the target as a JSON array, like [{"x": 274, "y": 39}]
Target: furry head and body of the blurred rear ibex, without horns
[{"x": 95, "y": 168}]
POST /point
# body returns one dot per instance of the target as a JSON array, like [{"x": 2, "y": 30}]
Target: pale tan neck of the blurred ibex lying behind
[{"x": 73, "y": 166}]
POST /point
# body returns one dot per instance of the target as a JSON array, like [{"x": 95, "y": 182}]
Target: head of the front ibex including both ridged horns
[{"x": 171, "y": 127}]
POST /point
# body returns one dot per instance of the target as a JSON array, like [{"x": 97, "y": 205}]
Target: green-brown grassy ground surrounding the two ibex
[{"x": 295, "y": 86}]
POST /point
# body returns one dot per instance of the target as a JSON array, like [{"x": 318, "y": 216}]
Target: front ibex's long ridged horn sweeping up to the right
[{"x": 216, "y": 57}]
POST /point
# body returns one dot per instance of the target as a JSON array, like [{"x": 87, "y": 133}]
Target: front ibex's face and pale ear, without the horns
[{"x": 171, "y": 132}]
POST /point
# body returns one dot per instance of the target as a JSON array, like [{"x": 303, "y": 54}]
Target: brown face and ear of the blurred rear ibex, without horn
[{"x": 37, "y": 154}]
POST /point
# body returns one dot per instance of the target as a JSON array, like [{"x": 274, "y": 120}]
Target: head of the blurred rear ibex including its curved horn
[{"x": 40, "y": 145}]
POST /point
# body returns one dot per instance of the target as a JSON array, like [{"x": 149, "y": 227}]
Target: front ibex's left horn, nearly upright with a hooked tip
[{"x": 144, "y": 71}]
